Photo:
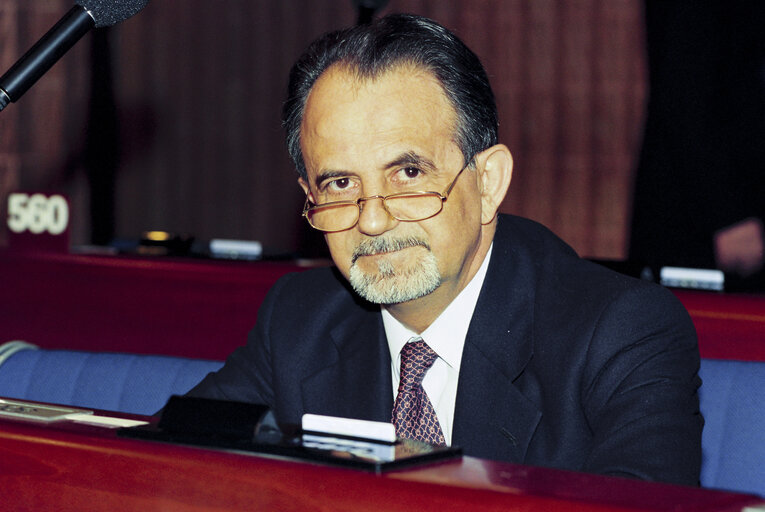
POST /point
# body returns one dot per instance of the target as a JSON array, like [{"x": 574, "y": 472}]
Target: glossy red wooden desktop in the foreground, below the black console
[{"x": 68, "y": 466}]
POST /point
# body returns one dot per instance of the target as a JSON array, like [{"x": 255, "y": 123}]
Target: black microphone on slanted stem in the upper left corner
[{"x": 85, "y": 15}]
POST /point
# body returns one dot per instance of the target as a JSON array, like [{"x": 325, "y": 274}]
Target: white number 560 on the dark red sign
[{"x": 37, "y": 213}]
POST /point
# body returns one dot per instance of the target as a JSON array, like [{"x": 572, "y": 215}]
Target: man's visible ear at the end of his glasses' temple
[{"x": 495, "y": 168}]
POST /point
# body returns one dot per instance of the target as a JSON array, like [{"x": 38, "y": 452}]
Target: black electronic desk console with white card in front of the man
[{"x": 366, "y": 445}]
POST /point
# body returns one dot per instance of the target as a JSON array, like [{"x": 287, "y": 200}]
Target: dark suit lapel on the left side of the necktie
[{"x": 356, "y": 383}]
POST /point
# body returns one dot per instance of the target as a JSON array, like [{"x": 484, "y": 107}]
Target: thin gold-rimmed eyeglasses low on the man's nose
[{"x": 404, "y": 206}]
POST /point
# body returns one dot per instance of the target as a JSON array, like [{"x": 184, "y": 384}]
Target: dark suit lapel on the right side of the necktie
[{"x": 493, "y": 418}]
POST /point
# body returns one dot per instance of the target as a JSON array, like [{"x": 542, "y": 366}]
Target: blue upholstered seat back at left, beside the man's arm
[{"x": 132, "y": 383}]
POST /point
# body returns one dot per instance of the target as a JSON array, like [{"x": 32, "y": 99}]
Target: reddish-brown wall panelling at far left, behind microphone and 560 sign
[{"x": 42, "y": 135}]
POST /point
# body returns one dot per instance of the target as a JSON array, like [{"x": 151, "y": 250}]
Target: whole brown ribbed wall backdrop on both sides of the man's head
[{"x": 198, "y": 85}]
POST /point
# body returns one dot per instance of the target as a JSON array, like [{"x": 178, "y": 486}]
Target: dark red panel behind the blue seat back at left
[{"x": 154, "y": 306}]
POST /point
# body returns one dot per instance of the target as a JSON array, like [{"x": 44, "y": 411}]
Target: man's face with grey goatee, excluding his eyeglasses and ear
[{"x": 382, "y": 136}]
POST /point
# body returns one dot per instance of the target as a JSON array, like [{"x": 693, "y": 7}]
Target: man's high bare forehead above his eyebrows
[{"x": 352, "y": 122}]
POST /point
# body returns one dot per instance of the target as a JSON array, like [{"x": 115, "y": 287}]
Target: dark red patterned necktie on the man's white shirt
[{"x": 413, "y": 414}]
